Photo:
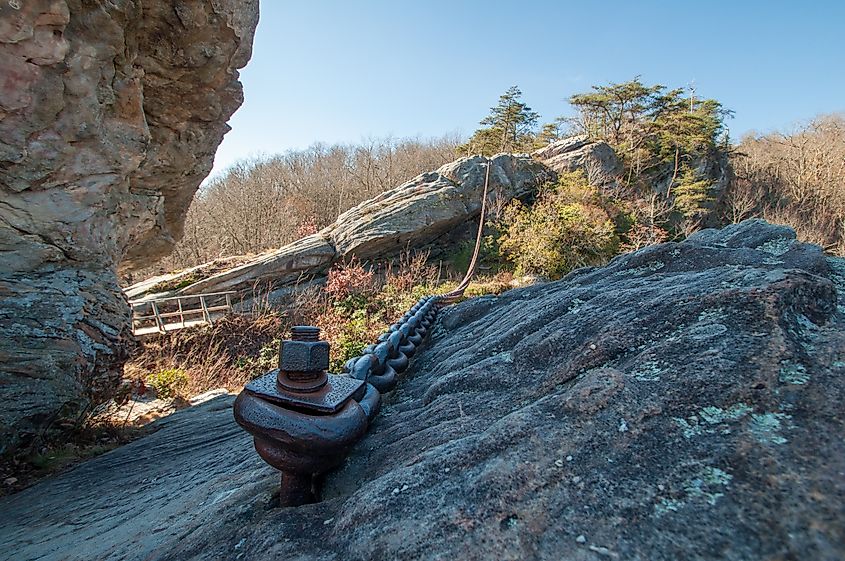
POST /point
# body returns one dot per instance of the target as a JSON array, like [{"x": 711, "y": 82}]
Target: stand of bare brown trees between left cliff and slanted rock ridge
[{"x": 262, "y": 204}]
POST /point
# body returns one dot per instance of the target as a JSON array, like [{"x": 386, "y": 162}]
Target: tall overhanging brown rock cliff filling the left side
[{"x": 110, "y": 114}]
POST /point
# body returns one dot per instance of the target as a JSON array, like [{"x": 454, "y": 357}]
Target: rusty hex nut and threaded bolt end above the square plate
[{"x": 303, "y": 360}]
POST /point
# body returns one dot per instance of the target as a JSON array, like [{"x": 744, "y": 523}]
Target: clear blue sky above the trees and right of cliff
[{"x": 340, "y": 71}]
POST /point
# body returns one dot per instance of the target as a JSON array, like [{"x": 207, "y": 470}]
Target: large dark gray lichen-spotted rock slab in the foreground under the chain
[{"x": 683, "y": 402}]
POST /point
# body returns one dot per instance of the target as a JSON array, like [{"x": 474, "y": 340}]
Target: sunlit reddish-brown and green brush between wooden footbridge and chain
[{"x": 354, "y": 306}]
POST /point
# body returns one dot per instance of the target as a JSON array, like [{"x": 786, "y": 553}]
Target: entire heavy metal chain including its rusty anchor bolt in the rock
[{"x": 303, "y": 420}]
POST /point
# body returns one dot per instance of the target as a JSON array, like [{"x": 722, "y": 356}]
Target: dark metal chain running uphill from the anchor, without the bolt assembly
[{"x": 382, "y": 362}]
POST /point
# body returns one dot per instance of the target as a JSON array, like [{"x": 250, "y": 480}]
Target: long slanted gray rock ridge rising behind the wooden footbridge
[{"x": 412, "y": 215}]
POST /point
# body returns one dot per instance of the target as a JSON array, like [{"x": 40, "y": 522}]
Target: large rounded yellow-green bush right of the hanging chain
[{"x": 567, "y": 227}]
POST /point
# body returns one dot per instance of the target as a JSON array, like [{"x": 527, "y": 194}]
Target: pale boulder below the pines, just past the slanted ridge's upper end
[{"x": 595, "y": 158}]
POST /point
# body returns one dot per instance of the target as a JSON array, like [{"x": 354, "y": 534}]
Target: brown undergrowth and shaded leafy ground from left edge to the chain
[{"x": 356, "y": 304}]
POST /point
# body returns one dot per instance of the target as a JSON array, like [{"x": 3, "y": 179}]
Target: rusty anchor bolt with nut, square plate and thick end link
[{"x": 302, "y": 419}]
